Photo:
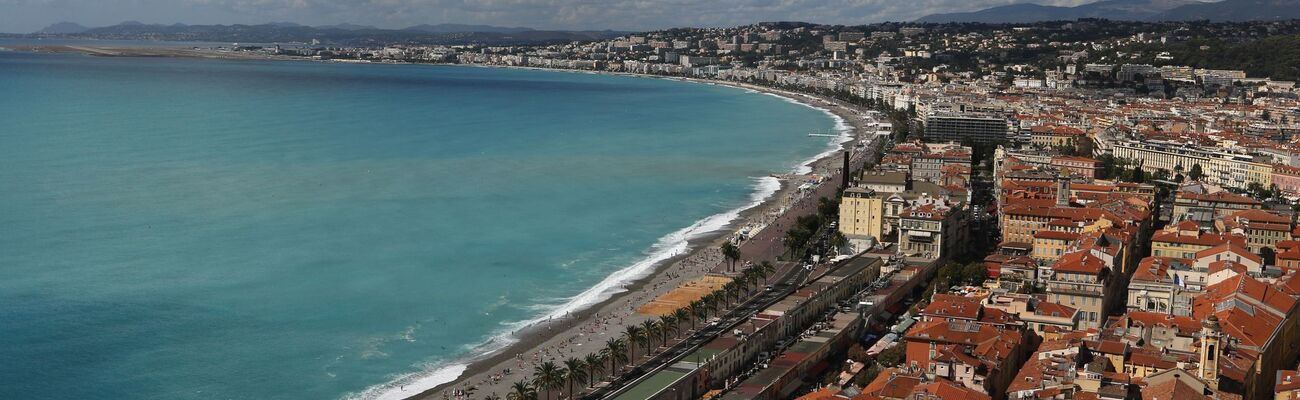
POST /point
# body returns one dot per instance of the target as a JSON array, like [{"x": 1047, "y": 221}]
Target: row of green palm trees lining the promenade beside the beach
[{"x": 652, "y": 334}]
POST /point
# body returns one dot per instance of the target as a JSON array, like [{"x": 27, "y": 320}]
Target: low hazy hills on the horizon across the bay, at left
[{"x": 339, "y": 34}]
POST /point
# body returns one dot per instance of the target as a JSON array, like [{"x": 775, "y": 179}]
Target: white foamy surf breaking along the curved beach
[{"x": 668, "y": 247}]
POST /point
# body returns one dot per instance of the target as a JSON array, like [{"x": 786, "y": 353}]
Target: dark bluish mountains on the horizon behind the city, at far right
[{"x": 1227, "y": 11}]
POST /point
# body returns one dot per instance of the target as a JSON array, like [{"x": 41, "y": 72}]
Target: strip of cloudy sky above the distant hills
[{"x": 27, "y": 16}]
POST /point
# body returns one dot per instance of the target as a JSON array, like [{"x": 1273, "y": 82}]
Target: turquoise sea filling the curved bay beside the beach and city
[{"x": 197, "y": 229}]
